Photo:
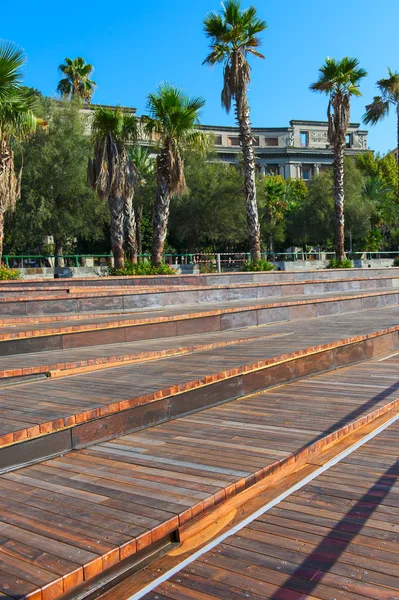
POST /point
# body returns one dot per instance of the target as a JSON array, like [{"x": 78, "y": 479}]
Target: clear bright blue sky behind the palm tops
[{"x": 135, "y": 45}]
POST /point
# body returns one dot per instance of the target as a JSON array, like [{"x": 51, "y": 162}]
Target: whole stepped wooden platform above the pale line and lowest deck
[{"x": 132, "y": 408}]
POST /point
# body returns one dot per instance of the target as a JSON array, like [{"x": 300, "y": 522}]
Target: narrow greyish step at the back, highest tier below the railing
[{"x": 22, "y": 301}]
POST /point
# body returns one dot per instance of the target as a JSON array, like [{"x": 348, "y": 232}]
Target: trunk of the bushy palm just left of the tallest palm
[{"x": 161, "y": 211}]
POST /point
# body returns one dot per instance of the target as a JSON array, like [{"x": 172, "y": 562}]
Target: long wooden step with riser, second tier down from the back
[{"x": 18, "y": 338}]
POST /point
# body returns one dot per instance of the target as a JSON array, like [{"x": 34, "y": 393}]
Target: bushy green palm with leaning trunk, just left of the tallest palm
[{"x": 172, "y": 123}]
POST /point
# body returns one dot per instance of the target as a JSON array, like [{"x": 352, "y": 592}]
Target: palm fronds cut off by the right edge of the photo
[{"x": 379, "y": 108}]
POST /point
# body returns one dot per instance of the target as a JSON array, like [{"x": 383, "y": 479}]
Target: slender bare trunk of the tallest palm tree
[{"x": 242, "y": 113}]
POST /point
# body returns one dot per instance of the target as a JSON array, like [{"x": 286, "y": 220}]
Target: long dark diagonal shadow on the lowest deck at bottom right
[{"x": 310, "y": 573}]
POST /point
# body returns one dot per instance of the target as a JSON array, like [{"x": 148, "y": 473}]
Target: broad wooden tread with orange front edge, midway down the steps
[{"x": 40, "y": 407}]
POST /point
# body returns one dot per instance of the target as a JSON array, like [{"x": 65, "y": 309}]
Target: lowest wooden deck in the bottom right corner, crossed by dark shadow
[{"x": 335, "y": 538}]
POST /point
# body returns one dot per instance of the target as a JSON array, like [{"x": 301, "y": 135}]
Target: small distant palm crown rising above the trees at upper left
[{"x": 76, "y": 82}]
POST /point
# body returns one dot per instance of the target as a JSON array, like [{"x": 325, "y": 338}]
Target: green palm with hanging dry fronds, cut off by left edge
[{"x": 17, "y": 121}]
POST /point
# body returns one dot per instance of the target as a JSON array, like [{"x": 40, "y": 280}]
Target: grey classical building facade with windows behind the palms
[{"x": 300, "y": 151}]
